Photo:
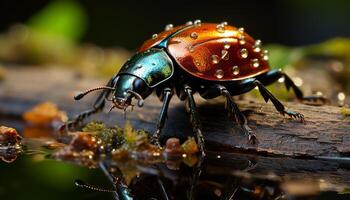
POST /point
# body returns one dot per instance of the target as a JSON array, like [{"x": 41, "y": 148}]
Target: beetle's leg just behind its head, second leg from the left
[{"x": 162, "y": 116}]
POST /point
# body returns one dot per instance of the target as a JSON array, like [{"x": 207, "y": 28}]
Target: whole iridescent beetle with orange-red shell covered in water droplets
[{"x": 211, "y": 59}]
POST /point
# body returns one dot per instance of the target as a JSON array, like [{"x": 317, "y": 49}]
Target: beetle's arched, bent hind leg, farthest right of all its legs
[{"x": 274, "y": 75}]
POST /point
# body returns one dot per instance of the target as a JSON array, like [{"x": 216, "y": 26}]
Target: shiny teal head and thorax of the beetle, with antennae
[{"x": 137, "y": 78}]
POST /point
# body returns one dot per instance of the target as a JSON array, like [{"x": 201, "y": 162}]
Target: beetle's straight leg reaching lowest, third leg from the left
[{"x": 195, "y": 118}]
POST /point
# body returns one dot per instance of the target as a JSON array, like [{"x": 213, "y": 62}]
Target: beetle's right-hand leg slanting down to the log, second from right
[{"x": 278, "y": 105}]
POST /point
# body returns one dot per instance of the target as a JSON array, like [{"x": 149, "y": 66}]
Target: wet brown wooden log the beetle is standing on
[{"x": 325, "y": 133}]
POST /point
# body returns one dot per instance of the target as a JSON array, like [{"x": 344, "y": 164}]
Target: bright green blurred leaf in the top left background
[{"x": 64, "y": 19}]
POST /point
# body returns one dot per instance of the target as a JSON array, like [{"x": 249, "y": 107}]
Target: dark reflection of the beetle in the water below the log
[{"x": 203, "y": 181}]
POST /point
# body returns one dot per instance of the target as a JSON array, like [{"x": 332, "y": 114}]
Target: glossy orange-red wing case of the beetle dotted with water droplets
[{"x": 217, "y": 52}]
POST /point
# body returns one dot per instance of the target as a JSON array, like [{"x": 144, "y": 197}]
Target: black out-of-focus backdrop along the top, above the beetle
[{"x": 129, "y": 23}]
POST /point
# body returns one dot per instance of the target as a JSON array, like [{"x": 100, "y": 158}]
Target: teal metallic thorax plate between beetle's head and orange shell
[{"x": 153, "y": 66}]
